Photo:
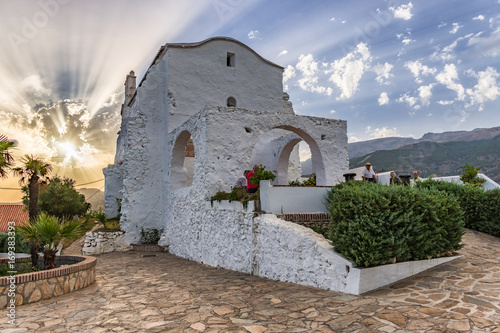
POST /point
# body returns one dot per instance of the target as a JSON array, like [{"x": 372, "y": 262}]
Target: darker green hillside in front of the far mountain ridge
[{"x": 438, "y": 158}]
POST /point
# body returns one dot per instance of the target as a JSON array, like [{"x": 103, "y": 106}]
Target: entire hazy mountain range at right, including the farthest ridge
[{"x": 440, "y": 154}]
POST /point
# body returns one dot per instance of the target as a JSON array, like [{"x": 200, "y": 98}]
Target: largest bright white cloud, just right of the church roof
[{"x": 347, "y": 72}]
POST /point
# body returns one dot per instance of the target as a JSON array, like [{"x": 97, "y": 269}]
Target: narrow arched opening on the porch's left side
[{"x": 181, "y": 174}]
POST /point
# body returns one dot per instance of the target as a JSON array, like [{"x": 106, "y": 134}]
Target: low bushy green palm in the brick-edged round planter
[{"x": 47, "y": 230}]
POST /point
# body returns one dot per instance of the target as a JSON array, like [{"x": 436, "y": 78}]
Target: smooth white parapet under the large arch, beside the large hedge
[{"x": 292, "y": 200}]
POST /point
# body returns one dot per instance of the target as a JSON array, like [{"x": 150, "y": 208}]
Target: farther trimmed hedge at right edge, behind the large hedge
[{"x": 481, "y": 207}]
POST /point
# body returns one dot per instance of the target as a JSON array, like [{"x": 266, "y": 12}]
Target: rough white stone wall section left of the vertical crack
[{"x": 219, "y": 236}]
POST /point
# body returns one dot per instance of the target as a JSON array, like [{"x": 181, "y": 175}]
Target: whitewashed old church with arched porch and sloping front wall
[{"x": 203, "y": 113}]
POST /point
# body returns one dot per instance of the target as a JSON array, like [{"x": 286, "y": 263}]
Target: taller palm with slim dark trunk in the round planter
[{"x": 32, "y": 172}]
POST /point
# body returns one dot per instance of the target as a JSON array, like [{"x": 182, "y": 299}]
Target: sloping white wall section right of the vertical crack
[{"x": 292, "y": 253}]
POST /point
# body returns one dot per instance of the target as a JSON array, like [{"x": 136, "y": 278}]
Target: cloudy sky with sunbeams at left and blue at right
[{"x": 389, "y": 68}]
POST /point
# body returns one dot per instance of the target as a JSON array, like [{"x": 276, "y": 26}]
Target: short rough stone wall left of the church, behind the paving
[{"x": 98, "y": 242}]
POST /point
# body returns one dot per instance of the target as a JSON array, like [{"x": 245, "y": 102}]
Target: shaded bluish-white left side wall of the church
[{"x": 144, "y": 157}]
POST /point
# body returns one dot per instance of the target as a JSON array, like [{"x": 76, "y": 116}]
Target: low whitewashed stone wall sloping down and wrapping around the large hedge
[{"x": 227, "y": 235}]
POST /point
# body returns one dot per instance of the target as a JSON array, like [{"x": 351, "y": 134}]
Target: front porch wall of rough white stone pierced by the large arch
[{"x": 229, "y": 146}]
